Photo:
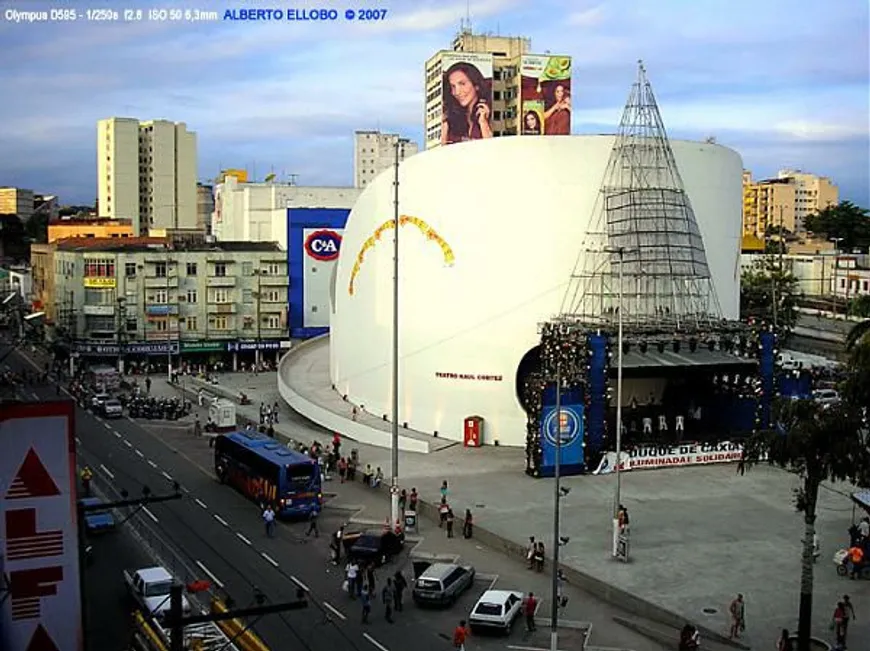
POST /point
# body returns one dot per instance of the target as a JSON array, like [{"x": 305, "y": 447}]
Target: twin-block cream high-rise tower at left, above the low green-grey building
[{"x": 146, "y": 172}]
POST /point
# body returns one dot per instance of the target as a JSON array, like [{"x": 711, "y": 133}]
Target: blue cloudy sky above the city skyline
[{"x": 784, "y": 82}]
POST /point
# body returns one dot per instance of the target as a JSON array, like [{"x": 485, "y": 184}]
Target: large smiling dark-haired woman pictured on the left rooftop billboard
[{"x": 466, "y": 105}]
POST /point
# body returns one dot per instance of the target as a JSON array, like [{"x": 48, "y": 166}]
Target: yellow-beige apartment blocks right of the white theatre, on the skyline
[{"x": 785, "y": 201}]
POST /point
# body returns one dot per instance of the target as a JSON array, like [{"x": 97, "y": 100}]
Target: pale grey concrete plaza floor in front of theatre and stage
[{"x": 699, "y": 535}]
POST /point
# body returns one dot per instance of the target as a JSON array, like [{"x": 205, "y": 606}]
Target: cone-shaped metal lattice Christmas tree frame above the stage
[{"x": 643, "y": 235}]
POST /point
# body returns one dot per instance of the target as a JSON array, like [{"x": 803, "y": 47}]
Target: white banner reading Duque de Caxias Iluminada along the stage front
[{"x": 671, "y": 456}]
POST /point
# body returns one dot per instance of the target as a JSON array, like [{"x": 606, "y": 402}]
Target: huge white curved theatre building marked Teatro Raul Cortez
[{"x": 497, "y": 227}]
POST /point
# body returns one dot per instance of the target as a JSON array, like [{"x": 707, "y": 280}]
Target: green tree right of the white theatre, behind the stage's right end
[{"x": 769, "y": 291}]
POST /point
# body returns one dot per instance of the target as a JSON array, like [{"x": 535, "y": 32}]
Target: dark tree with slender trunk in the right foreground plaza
[{"x": 818, "y": 443}]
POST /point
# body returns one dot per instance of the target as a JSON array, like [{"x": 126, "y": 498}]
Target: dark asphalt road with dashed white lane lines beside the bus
[{"x": 214, "y": 533}]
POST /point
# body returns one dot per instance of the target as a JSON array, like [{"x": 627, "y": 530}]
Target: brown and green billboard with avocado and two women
[{"x": 545, "y": 95}]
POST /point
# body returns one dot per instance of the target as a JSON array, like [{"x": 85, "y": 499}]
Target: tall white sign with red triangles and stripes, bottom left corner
[{"x": 39, "y": 544}]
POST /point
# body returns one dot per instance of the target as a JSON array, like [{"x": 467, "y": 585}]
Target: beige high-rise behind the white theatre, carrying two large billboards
[{"x": 506, "y": 52}]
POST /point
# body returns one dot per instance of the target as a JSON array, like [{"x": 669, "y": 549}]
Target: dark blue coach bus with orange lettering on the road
[{"x": 267, "y": 472}]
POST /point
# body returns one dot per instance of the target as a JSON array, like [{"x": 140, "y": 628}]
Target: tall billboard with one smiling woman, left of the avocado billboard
[{"x": 466, "y": 97}]
